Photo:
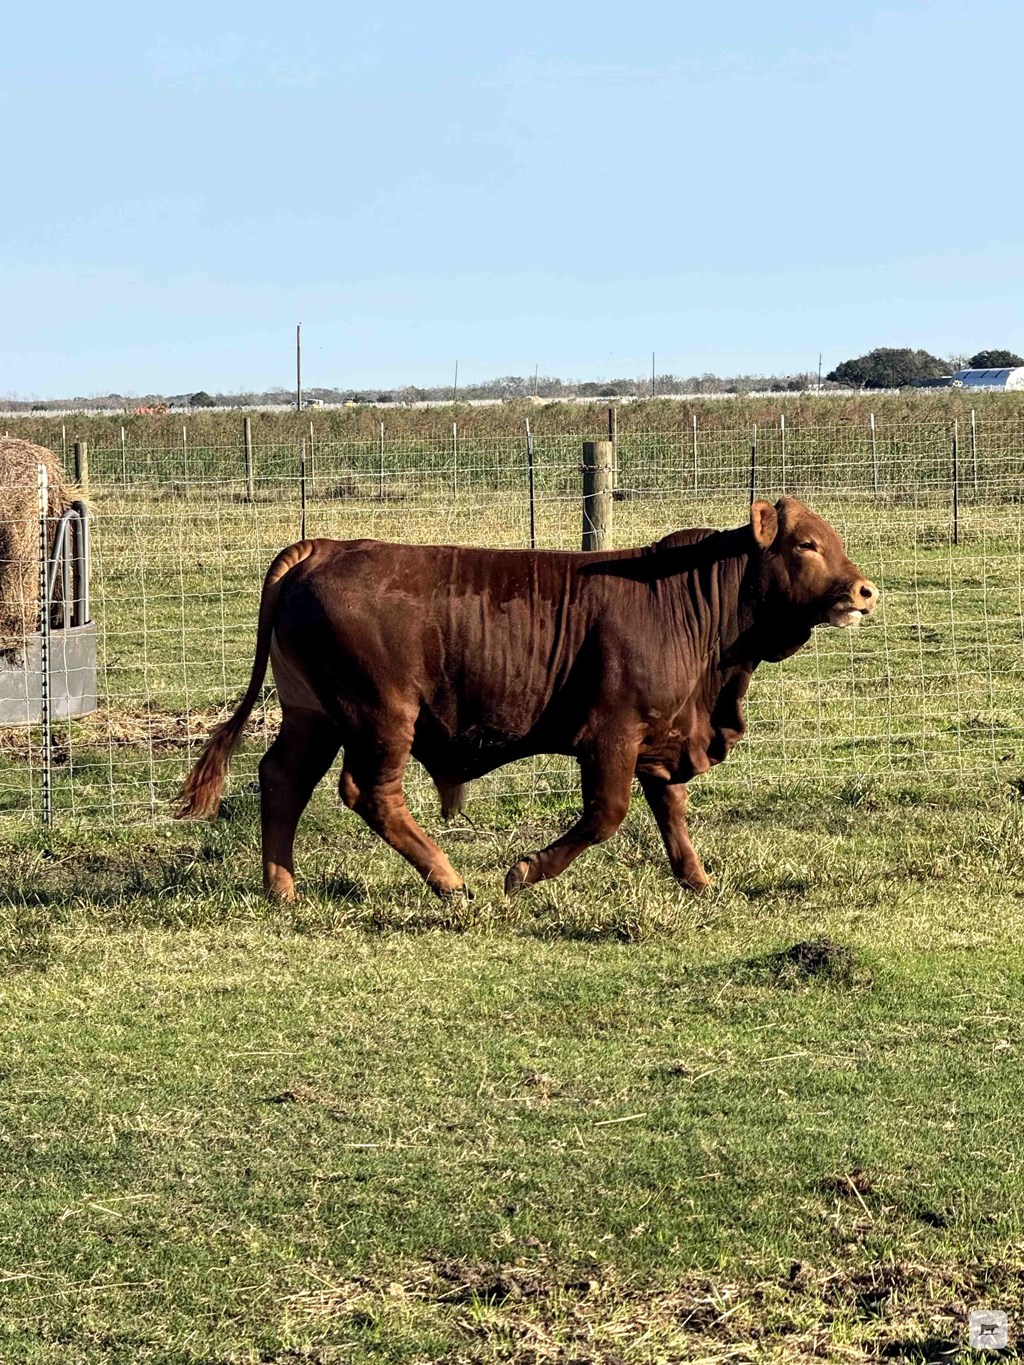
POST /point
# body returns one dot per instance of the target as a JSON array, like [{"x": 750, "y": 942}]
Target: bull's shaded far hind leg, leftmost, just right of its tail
[{"x": 300, "y": 757}]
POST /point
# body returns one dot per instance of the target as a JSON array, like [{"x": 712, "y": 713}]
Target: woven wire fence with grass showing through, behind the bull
[{"x": 929, "y": 691}]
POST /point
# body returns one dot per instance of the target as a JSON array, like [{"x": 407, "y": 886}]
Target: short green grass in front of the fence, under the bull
[{"x": 603, "y": 1121}]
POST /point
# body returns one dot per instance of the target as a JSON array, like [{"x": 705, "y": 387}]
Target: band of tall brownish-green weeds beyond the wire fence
[{"x": 900, "y": 459}]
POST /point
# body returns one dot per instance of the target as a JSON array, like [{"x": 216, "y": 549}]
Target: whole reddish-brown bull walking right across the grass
[{"x": 636, "y": 663}]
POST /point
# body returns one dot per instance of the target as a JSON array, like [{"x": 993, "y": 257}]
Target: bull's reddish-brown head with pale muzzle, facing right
[{"x": 805, "y": 575}]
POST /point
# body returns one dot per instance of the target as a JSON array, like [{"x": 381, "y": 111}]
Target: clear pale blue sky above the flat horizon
[{"x": 737, "y": 188}]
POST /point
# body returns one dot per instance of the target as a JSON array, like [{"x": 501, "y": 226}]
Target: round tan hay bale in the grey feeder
[{"x": 20, "y": 537}]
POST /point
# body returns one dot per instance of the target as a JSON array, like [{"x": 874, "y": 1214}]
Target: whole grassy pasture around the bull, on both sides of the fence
[{"x": 607, "y": 1123}]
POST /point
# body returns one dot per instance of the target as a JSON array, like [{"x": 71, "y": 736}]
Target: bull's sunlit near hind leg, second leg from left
[{"x": 372, "y": 787}]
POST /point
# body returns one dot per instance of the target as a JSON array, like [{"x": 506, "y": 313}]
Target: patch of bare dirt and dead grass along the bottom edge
[{"x": 535, "y": 1314}]
